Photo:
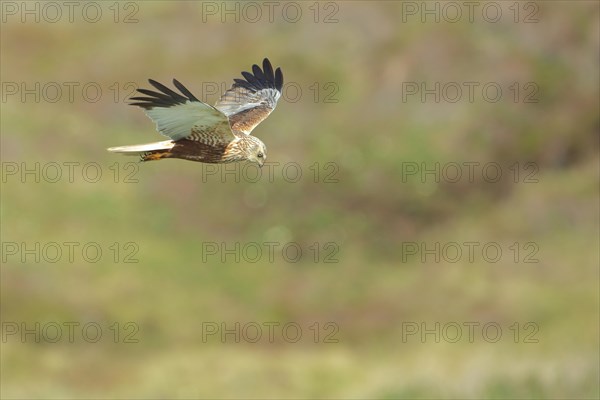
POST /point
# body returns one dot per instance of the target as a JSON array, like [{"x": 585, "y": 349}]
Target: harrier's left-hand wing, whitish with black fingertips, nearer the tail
[{"x": 180, "y": 116}]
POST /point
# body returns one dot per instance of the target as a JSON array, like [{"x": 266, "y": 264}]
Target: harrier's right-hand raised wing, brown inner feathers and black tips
[{"x": 251, "y": 100}]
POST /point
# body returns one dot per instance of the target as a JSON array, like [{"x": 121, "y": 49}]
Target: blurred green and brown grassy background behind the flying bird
[{"x": 346, "y": 67}]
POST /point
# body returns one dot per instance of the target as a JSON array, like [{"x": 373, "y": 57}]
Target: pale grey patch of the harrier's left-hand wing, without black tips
[{"x": 178, "y": 121}]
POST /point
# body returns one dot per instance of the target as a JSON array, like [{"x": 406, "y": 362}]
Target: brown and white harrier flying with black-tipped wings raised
[{"x": 201, "y": 132}]
